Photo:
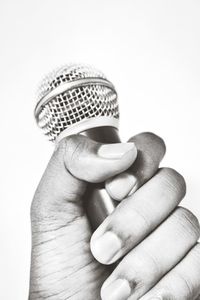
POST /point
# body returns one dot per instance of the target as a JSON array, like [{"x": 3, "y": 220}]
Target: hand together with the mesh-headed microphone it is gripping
[{"x": 146, "y": 230}]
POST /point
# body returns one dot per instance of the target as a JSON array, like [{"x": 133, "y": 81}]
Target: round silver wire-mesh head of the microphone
[{"x": 72, "y": 95}]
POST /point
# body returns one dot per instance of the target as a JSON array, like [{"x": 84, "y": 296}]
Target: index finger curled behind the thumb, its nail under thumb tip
[{"x": 150, "y": 151}]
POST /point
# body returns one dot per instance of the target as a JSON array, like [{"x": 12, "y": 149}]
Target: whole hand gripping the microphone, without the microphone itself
[{"x": 156, "y": 242}]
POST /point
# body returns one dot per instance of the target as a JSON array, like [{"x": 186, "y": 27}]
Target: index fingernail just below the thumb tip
[{"x": 121, "y": 186}]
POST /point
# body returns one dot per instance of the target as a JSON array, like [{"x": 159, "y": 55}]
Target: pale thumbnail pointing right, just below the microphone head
[{"x": 115, "y": 151}]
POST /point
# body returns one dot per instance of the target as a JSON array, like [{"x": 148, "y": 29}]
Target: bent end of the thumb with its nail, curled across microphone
[{"x": 95, "y": 162}]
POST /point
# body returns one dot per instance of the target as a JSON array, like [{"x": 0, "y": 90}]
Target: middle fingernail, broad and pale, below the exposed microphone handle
[{"x": 105, "y": 247}]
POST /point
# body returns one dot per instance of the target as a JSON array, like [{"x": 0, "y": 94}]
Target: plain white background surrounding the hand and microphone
[{"x": 150, "y": 50}]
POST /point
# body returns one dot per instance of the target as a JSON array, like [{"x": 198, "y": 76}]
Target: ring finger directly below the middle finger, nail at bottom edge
[{"x": 145, "y": 265}]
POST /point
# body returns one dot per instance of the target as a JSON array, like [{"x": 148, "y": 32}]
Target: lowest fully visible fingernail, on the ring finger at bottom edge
[{"x": 117, "y": 290}]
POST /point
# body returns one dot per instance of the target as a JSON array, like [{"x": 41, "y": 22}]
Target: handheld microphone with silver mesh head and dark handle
[{"x": 78, "y": 99}]
